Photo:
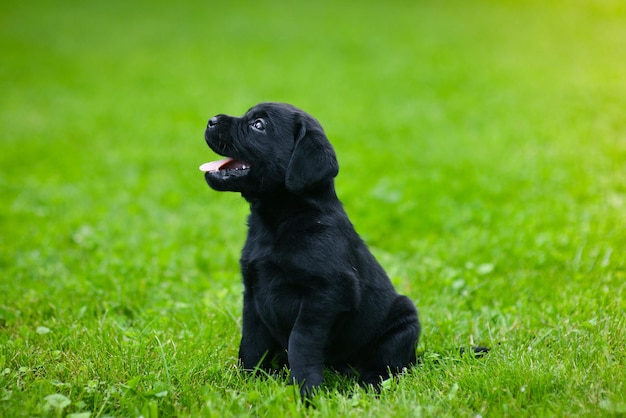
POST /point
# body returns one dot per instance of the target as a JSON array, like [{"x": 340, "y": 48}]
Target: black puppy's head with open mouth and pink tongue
[{"x": 272, "y": 148}]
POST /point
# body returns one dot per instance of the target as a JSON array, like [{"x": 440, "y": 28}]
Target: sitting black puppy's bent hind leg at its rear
[{"x": 394, "y": 350}]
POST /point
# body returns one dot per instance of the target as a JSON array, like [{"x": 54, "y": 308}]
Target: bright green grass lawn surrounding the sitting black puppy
[{"x": 483, "y": 158}]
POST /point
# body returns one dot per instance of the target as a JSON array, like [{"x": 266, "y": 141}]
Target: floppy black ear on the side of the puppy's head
[{"x": 313, "y": 160}]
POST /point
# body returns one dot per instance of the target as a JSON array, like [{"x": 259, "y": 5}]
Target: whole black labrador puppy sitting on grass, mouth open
[{"x": 314, "y": 295}]
